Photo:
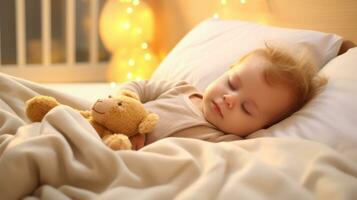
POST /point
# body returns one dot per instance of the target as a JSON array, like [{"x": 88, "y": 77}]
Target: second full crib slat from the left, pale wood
[{"x": 46, "y": 32}]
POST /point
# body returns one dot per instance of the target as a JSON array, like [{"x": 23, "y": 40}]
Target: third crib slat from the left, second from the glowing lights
[{"x": 70, "y": 31}]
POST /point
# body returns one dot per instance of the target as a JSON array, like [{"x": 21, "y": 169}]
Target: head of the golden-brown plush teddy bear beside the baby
[{"x": 123, "y": 114}]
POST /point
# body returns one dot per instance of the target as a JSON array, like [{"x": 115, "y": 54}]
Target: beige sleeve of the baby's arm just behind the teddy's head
[{"x": 148, "y": 90}]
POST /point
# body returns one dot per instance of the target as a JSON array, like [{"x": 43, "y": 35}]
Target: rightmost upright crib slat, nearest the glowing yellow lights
[{"x": 93, "y": 41}]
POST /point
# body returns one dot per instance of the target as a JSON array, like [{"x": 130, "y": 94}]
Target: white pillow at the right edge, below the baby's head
[{"x": 331, "y": 117}]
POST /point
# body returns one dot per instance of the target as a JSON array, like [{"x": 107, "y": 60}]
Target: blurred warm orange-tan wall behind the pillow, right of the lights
[{"x": 176, "y": 17}]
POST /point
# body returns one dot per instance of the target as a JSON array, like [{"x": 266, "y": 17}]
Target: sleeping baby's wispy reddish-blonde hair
[{"x": 295, "y": 71}]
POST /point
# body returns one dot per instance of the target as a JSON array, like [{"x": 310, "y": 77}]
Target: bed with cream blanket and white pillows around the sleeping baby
[{"x": 310, "y": 155}]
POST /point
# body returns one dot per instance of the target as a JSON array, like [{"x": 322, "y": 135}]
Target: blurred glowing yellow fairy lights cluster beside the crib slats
[{"x": 127, "y": 28}]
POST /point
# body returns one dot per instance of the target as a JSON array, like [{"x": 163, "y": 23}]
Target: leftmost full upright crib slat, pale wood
[{"x": 20, "y": 32}]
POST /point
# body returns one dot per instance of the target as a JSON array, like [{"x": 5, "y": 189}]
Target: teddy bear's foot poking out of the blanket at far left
[{"x": 38, "y": 106}]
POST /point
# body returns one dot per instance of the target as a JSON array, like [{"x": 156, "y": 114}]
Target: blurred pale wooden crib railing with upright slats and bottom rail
[{"x": 70, "y": 70}]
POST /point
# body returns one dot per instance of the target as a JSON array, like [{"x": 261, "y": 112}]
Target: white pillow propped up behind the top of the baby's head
[{"x": 209, "y": 49}]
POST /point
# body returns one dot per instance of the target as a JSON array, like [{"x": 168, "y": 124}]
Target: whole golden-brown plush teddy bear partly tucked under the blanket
[{"x": 114, "y": 119}]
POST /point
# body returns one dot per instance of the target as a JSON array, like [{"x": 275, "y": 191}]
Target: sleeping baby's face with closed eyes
[{"x": 241, "y": 101}]
